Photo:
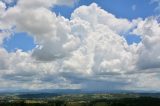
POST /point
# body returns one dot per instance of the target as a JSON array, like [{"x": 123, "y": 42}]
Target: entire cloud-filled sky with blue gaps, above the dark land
[{"x": 80, "y": 44}]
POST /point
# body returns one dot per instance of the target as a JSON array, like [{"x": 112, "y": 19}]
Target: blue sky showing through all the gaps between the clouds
[{"x": 130, "y": 9}]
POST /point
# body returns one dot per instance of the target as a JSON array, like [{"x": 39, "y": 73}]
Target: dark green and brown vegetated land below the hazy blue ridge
[{"x": 79, "y": 100}]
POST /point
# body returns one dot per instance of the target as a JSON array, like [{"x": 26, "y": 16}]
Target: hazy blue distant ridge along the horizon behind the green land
[{"x": 56, "y": 92}]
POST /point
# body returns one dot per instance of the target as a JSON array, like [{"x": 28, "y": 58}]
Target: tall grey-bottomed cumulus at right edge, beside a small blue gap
[{"x": 149, "y": 53}]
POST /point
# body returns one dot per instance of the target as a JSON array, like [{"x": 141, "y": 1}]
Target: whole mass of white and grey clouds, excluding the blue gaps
[{"x": 86, "y": 50}]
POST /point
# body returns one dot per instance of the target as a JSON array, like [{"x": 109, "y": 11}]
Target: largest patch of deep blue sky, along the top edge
[{"x": 120, "y": 8}]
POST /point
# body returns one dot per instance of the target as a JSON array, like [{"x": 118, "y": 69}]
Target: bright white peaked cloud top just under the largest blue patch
[{"x": 95, "y": 15}]
